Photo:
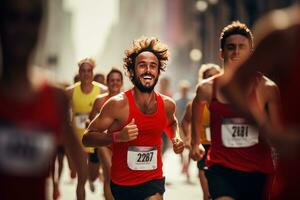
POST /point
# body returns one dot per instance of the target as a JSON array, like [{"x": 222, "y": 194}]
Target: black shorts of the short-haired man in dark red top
[{"x": 224, "y": 181}]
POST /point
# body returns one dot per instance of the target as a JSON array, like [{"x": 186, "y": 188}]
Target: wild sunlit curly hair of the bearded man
[{"x": 142, "y": 44}]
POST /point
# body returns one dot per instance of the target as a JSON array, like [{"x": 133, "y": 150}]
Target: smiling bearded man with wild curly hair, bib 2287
[{"x": 134, "y": 121}]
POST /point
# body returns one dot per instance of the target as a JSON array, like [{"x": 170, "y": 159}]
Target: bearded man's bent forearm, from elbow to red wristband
[{"x": 95, "y": 139}]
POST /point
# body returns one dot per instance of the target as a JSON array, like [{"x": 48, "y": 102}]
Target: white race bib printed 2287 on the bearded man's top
[{"x": 142, "y": 158}]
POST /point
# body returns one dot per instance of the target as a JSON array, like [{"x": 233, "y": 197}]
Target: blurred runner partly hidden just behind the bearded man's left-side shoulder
[{"x": 114, "y": 83}]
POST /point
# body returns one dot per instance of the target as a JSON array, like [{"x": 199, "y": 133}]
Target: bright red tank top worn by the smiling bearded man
[{"x": 139, "y": 161}]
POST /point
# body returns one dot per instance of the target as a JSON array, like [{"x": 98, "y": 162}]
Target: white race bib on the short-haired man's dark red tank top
[{"x": 237, "y": 133}]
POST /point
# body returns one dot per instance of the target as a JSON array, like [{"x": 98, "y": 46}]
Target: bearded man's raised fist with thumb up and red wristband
[{"x": 128, "y": 133}]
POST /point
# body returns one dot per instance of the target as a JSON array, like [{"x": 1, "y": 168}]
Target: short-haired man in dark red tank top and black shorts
[{"x": 239, "y": 160}]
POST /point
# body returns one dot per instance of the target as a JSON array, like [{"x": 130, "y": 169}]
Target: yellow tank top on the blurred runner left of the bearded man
[{"x": 82, "y": 104}]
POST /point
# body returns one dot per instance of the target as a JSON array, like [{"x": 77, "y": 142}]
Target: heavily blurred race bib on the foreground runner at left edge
[{"x": 25, "y": 152}]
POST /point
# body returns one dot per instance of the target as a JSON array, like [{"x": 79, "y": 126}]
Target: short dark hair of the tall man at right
[{"x": 235, "y": 27}]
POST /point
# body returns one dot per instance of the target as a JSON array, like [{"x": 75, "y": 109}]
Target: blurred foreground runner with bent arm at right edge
[{"x": 277, "y": 54}]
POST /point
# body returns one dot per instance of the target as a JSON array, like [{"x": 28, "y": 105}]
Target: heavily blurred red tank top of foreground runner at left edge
[{"x": 28, "y": 134}]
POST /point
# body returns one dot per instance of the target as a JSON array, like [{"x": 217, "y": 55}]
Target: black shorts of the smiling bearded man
[{"x": 138, "y": 192}]
